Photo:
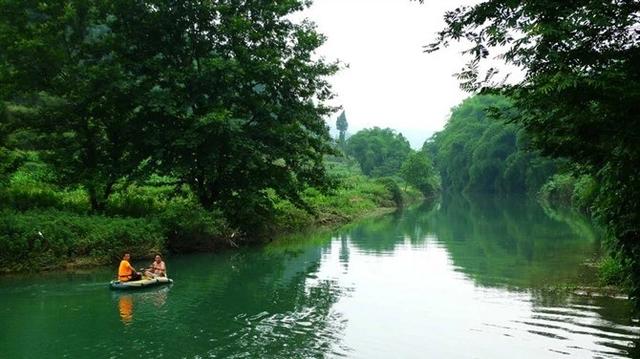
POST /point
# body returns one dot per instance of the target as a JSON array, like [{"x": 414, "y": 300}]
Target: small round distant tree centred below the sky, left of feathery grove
[{"x": 380, "y": 152}]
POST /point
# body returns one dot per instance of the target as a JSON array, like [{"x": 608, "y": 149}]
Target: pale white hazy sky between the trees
[{"x": 390, "y": 81}]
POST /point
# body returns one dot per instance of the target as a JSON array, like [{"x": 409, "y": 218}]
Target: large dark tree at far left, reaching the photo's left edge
[{"x": 72, "y": 63}]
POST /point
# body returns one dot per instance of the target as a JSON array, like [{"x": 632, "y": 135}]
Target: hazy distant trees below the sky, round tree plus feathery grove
[{"x": 473, "y": 153}]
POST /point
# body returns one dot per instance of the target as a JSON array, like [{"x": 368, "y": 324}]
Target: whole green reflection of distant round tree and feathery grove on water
[{"x": 495, "y": 242}]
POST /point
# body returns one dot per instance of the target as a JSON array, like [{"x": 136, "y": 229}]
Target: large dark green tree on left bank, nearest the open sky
[{"x": 253, "y": 99}]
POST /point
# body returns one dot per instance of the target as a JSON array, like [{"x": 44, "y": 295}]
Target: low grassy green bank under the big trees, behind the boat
[{"x": 42, "y": 227}]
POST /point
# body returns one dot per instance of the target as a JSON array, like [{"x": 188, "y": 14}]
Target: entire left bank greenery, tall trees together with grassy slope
[{"x": 160, "y": 125}]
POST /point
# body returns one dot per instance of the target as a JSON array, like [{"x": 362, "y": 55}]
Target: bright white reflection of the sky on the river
[{"x": 413, "y": 301}]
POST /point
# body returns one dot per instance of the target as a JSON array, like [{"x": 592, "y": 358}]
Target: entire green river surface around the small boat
[{"x": 465, "y": 278}]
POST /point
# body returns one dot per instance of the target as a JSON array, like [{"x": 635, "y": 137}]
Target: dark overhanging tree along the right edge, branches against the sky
[{"x": 580, "y": 95}]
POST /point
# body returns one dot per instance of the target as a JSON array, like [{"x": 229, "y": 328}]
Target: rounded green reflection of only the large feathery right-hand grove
[{"x": 511, "y": 242}]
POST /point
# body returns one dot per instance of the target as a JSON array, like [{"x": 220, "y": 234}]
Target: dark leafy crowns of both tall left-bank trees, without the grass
[{"x": 225, "y": 97}]
